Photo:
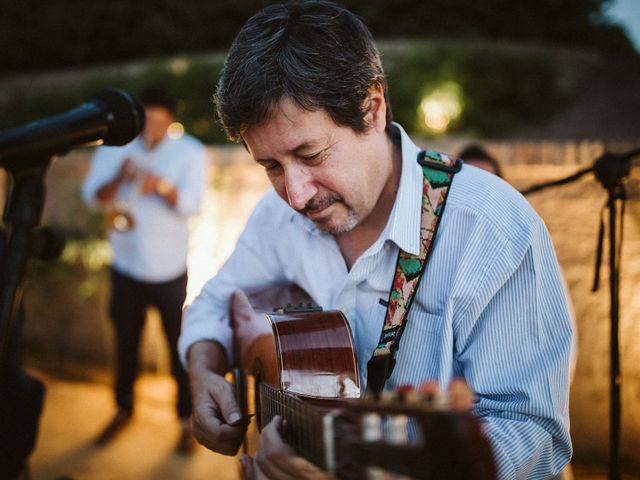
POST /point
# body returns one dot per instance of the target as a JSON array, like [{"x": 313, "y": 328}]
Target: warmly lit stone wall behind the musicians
[{"x": 67, "y": 318}]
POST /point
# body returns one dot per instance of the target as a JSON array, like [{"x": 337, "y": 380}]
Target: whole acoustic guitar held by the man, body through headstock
[{"x": 299, "y": 362}]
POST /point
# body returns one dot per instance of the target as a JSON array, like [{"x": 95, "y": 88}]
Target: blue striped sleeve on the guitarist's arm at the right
[{"x": 514, "y": 347}]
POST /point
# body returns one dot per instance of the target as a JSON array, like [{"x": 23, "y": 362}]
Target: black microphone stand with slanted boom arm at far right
[{"x": 610, "y": 170}]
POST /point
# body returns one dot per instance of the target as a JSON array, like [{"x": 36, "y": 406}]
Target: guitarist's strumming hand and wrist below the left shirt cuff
[{"x": 217, "y": 420}]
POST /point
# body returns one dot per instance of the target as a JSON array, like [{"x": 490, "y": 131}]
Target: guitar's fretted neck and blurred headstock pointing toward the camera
[{"x": 364, "y": 440}]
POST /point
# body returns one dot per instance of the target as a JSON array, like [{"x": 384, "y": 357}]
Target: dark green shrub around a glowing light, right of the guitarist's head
[{"x": 498, "y": 90}]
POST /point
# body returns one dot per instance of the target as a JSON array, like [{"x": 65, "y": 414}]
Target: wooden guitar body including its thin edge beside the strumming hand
[{"x": 301, "y": 351}]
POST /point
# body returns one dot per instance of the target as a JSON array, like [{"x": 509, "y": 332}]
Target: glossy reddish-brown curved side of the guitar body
[{"x": 303, "y": 350}]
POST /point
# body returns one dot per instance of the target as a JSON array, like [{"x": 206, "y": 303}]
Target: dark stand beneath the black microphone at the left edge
[{"x": 21, "y": 396}]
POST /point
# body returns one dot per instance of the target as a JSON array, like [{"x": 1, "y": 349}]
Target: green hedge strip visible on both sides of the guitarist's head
[{"x": 499, "y": 88}]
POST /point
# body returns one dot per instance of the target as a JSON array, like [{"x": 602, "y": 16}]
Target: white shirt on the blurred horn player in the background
[{"x": 155, "y": 250}]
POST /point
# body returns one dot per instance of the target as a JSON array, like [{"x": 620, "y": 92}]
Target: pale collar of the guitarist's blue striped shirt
[{"x": 403, "y": 226}]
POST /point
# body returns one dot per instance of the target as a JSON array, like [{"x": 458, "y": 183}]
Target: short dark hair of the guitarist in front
[{"x": 315, "y": 53}]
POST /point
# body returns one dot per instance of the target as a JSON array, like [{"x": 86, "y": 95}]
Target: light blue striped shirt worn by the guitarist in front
[{"x": 492, "y": 306}]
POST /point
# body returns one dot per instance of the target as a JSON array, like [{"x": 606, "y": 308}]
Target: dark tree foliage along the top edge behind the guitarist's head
[{"x": 37, "y": 35}]
